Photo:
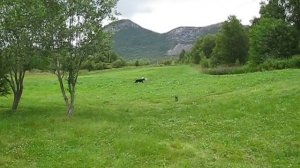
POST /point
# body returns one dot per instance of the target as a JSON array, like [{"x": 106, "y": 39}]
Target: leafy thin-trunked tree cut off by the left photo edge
[{"x": 19, "y": 24}]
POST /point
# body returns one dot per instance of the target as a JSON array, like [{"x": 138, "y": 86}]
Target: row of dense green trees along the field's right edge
[{"x": 275, "y": 35}]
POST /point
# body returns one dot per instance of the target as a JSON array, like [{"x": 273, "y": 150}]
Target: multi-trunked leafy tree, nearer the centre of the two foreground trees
[{"x": 74, "y": 31}]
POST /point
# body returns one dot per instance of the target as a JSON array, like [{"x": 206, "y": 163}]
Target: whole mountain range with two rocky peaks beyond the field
[{"x": 132, "y": 41}]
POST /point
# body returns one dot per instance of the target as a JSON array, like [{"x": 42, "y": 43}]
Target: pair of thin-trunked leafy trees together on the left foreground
[{"x": 64, "y": 32}]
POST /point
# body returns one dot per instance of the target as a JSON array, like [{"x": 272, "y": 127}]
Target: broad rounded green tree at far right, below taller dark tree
[{"x": 272, "y": 38}]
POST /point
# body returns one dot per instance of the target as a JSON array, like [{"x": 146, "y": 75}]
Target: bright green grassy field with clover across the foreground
[{"x": 247, "y": 120}]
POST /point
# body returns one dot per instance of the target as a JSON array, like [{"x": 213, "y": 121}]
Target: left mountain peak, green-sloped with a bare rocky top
[{"x": 131, "y": 41}]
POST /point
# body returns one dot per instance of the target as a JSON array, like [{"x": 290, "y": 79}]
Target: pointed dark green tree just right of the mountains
[{"x": 231, "y": 43}]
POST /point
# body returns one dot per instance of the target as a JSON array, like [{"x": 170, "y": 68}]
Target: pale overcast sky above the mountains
[{"x": 164, "y": 15}]
